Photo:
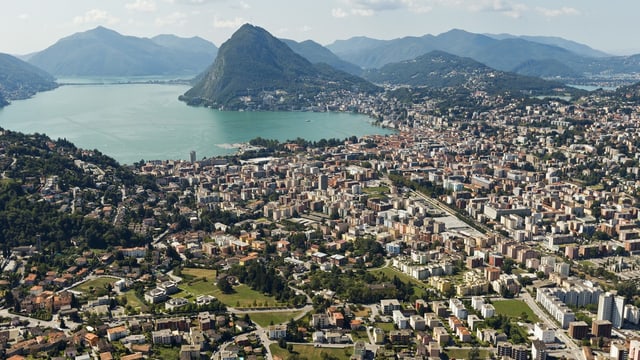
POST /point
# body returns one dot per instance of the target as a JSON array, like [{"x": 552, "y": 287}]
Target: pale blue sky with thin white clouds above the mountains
[{"x": 32, "y": 25}]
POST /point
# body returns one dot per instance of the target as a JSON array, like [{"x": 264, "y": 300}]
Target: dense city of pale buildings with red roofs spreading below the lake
[{"x": 507, "y": 230}]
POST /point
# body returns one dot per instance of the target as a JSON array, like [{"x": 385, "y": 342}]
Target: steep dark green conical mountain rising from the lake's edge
[{"x": 253, "y": 66}]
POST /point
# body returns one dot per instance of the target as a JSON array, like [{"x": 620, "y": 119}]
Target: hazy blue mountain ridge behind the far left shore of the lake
[{"x": 104, "y": 52}]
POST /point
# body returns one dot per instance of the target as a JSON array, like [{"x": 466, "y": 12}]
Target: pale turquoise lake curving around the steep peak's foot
[{"x": 130, "y": 122}]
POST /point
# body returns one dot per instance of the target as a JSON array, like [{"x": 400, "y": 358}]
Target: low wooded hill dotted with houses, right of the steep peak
[{"x": 440, "y": 70}]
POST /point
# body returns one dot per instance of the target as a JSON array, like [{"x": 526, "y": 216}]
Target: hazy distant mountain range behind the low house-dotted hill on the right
[{"x": 536, "y": 56}]
